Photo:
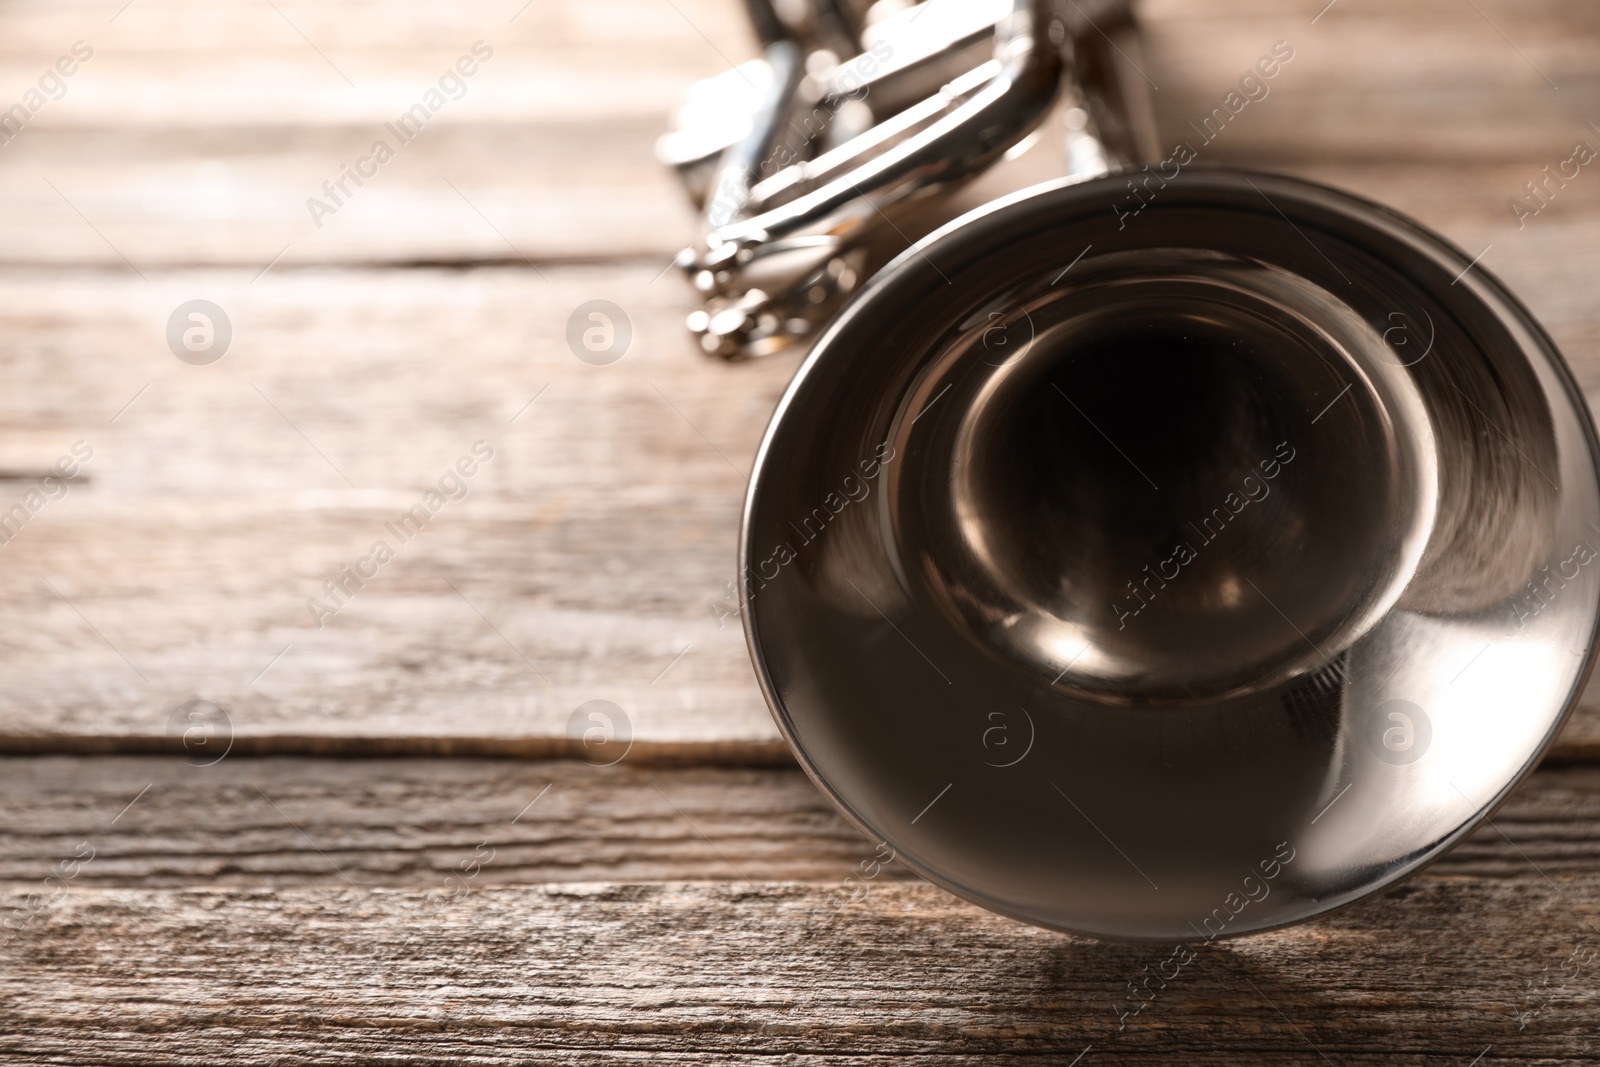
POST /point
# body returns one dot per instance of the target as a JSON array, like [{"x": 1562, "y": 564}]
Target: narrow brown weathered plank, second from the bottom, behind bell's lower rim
[{"x": 410, "y": 823}]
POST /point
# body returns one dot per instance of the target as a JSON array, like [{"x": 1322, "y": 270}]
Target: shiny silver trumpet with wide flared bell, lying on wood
[{"x": 1159, "y": 553}]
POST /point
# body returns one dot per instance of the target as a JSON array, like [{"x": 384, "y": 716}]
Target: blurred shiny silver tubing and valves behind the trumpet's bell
[{"x": 780, "y": 252}]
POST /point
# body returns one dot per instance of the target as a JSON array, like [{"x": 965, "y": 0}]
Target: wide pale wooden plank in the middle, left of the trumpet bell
[{"x": 583, "y": 562}]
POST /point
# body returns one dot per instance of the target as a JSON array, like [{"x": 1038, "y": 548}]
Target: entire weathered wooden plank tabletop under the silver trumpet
[{"x": 262, "y": 890}]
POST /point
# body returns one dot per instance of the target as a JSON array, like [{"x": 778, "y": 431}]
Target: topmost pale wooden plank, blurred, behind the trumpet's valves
[{"x": 199, "y": 132}]
